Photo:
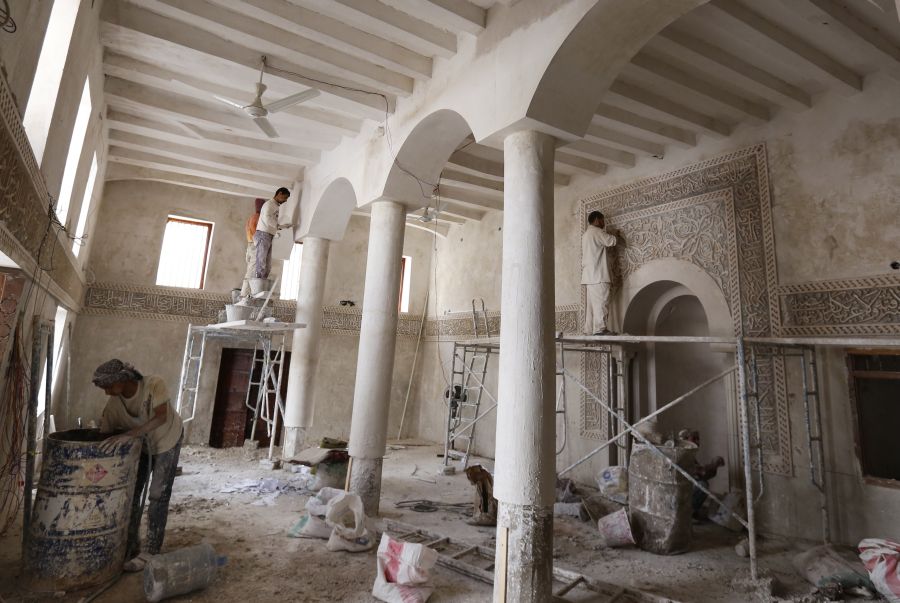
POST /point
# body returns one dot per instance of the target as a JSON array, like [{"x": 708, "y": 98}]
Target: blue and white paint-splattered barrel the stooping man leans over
[{"x": 79, "y": 525}]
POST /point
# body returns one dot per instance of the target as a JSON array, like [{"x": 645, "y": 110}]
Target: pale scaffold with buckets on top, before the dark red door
[{"x": 262, "y": 335}]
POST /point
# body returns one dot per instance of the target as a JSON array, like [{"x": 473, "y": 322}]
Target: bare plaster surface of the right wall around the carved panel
[{"x": 834, "y": 181}]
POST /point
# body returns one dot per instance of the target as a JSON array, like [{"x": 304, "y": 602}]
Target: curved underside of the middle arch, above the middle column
[{"x": 422, "y": 157}]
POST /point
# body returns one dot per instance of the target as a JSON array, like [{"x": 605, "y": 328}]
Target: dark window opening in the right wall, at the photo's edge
[{"x": 875, "y": 388}]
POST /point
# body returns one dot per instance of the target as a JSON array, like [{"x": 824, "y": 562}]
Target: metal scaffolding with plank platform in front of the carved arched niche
[{"x": 747, "y": 369}]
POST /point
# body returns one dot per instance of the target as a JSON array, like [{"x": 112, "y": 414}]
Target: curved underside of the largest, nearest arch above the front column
[{"x": 593, "y": 54}]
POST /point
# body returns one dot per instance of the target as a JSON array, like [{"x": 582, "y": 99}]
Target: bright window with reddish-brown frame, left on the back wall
[{"x": 182, "y": 262}]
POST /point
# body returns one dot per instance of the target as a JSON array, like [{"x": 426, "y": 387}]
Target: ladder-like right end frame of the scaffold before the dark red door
[{"x": 269, "y": 382}]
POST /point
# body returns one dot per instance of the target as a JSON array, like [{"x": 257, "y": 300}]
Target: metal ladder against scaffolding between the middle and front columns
[{"x": 468, "y": 373}]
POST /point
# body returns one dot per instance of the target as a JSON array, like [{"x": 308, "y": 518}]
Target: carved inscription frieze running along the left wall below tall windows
[{"x": 26, "y": 235}]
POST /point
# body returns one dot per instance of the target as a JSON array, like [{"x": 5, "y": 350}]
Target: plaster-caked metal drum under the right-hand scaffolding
[{"x": 659, "y": 499}]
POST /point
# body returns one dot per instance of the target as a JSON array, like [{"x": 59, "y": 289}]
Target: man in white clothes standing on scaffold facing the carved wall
[{"x": 595, "y": 274}]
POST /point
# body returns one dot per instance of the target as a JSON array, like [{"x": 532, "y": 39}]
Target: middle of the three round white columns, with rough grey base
[{"x": 375, "y": 362}]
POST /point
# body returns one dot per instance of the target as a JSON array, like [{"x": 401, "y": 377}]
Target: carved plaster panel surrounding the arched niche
[{"x": 716, "y": 215}]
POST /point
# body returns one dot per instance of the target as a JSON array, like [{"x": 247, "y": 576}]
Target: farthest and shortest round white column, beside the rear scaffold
[{"x": 300, "y": 399}]
